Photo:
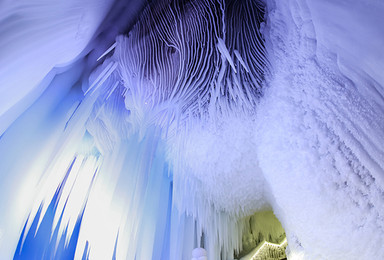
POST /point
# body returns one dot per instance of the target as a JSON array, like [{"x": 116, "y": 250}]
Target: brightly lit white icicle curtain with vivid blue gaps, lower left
[{"x": 126, "y": 210}]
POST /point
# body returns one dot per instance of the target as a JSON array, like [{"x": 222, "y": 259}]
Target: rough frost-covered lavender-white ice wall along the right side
[{"x": 321, "y": 128}]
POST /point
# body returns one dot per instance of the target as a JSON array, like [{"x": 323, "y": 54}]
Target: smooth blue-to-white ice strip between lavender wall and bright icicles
[{"x": 26, "y": 149}]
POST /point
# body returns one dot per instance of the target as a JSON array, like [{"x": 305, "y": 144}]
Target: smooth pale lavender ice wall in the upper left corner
[{"x": 35, "y": 37}]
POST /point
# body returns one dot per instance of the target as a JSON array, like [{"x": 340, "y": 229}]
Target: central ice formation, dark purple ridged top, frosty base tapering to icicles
[{"x": 181, "y": 69}]
